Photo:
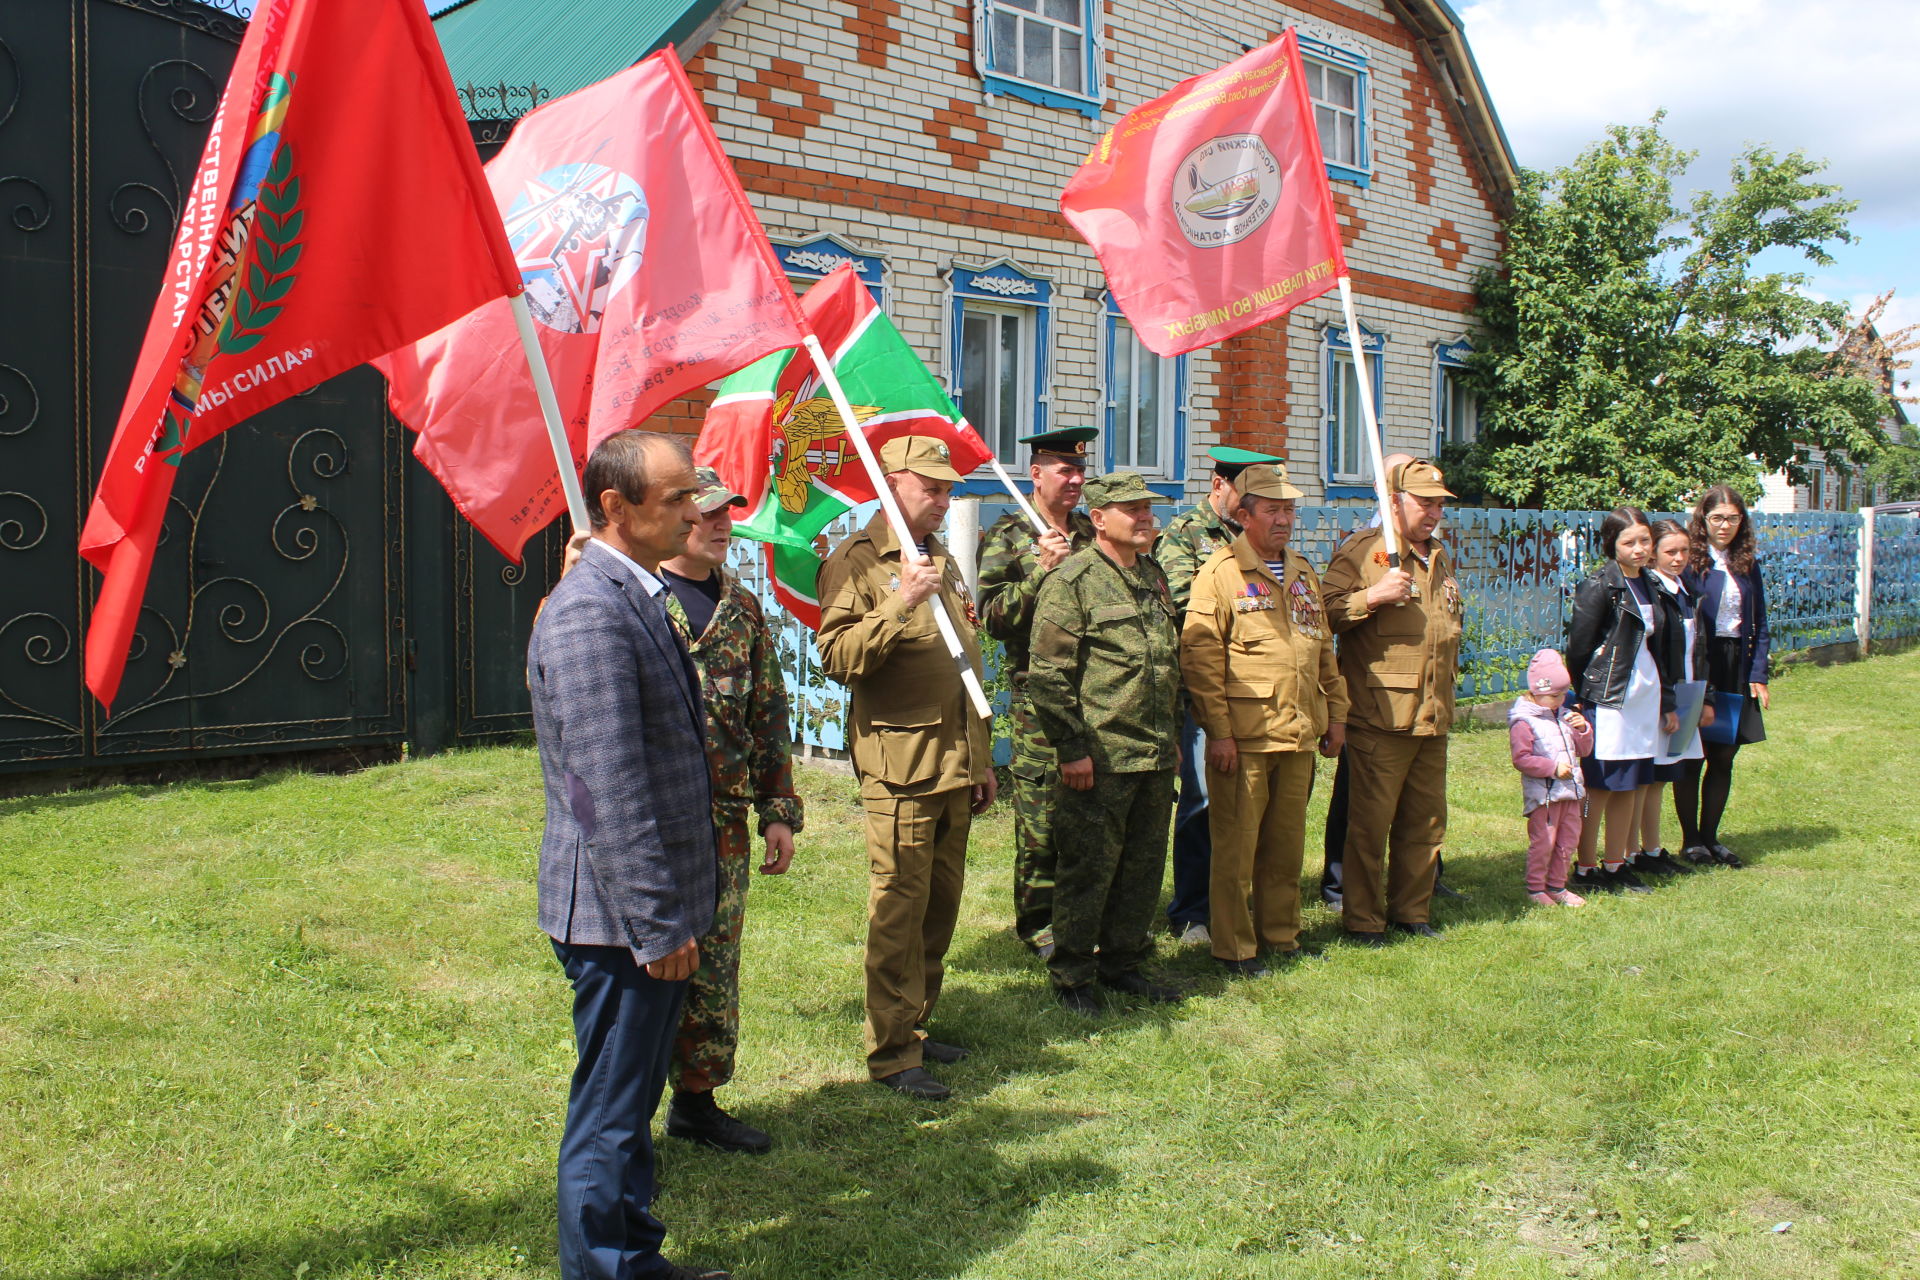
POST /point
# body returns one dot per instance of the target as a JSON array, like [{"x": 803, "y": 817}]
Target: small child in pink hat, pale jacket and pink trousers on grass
[{"x": 1548, "y": 740}]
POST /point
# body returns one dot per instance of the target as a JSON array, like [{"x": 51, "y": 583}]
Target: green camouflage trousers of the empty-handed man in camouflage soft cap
[{"x": 1113, "y": 857}]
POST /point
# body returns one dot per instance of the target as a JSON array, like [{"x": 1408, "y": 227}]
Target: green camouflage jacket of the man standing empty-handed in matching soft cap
[{"x": 1107, "y": 667}]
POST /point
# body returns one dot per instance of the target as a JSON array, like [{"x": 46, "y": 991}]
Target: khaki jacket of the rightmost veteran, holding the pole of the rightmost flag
[{"x": 1401, "y": 663}]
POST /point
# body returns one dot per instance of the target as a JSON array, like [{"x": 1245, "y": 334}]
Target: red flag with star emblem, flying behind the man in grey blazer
[{"x": 646, "y": 272}]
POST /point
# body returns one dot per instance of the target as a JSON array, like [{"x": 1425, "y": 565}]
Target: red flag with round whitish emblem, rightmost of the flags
[{"x": 1209, "y": 206}]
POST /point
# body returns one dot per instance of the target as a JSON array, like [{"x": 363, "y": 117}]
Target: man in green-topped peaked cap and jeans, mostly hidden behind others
[{"x": 1191, "y": 542}]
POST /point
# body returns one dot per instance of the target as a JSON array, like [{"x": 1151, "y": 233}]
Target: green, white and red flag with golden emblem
[{"x": 775, "y": 435}]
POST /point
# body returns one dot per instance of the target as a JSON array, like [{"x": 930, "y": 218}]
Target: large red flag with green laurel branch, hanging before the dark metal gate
[{"x": 339, "y": 212}]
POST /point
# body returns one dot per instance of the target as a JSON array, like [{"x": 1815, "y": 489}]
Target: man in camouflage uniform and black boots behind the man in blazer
[{"x": 752, "y": 761}]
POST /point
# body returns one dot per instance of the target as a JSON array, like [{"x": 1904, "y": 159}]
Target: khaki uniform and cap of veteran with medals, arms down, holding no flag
[{"x": 1260, "y": 669}]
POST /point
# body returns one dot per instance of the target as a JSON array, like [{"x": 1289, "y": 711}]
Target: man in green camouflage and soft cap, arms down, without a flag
[{"x": 1105, "y": 680}]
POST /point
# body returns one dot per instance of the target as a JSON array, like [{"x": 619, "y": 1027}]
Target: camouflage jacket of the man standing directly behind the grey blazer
[{"x": 750, "y": 749}]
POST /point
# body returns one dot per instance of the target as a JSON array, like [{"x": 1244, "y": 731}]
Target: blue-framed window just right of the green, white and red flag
[{"x": 997, "y": 356}]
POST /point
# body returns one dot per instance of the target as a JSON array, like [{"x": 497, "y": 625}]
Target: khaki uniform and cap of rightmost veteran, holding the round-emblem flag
[{"x": 1401, "y": 665}]
